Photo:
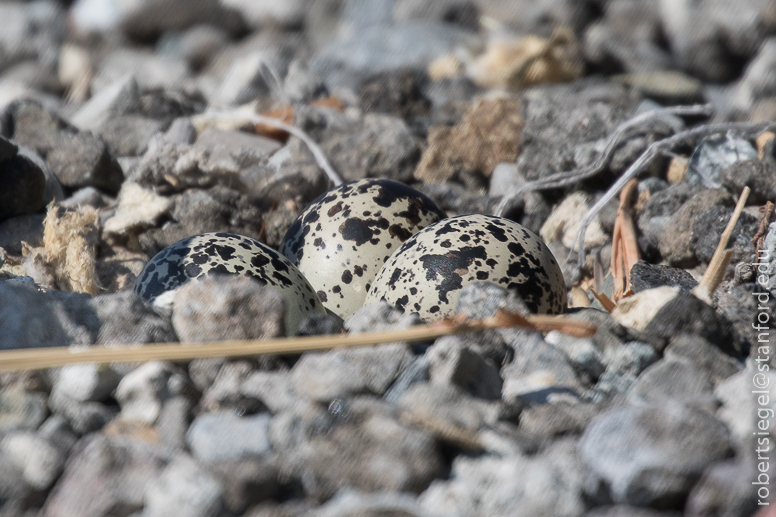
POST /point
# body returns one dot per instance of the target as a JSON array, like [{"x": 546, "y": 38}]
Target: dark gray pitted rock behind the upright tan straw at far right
[{"x": 708, "y": 227}]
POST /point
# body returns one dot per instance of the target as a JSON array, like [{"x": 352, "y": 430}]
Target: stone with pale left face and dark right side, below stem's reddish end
[{"x": 452, "y": 362}]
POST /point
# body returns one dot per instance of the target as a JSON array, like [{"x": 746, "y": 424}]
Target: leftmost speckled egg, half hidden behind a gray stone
[{"x": 227, "y": 253}]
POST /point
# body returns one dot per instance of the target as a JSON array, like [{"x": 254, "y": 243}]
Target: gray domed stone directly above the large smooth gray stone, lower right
[{"x": 676, "y": 380}]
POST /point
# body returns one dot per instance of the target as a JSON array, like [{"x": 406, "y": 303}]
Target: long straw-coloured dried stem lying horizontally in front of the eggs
[{"x": 38, "y": 358}]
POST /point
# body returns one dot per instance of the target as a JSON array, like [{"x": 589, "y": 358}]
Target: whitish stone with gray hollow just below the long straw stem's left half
[{"x": 142, "y": 392}]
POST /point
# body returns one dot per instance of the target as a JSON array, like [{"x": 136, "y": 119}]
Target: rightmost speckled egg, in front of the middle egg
[{"x": 427, "y": 274}]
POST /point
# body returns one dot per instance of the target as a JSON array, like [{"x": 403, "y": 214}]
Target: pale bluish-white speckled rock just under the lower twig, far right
[{"x": 713, "y": 155}]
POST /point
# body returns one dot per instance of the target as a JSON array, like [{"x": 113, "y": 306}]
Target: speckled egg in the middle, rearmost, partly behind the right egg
[{"x": 345, "y": 236}]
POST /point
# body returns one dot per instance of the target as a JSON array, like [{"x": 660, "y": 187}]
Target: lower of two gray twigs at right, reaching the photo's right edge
[{"x": 745, "y": 129}]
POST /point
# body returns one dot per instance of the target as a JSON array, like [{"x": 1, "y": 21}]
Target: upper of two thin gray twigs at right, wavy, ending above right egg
[{"x": 567, "y": 178}]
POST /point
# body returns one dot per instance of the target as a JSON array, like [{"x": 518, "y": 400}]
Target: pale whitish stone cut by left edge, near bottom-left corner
[{"x": 39, "y": 461}]
